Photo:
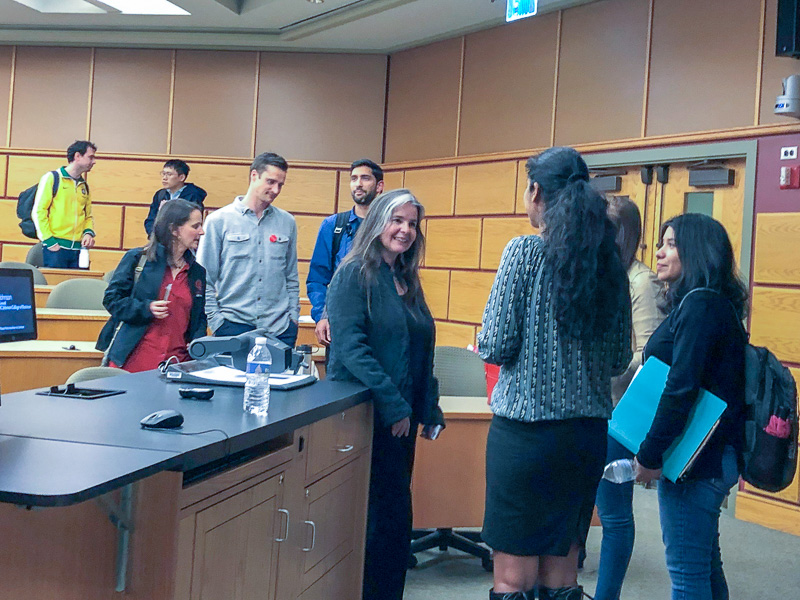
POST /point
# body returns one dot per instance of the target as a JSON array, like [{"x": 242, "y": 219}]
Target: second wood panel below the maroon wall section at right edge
[{"x": 775, "y": 321}]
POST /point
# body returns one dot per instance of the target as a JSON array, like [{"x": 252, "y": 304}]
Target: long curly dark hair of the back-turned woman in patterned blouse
[{"x": 589, "y": 281}]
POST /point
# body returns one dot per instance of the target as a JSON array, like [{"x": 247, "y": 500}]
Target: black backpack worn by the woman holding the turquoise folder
[{"x": 770, "y": 390}]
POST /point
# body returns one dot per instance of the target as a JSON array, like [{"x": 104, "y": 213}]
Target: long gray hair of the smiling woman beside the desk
[{"x": 367, "y": 245}]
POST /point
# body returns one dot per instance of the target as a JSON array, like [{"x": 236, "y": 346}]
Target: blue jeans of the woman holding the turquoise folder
[{"x": 690, "y": 530}]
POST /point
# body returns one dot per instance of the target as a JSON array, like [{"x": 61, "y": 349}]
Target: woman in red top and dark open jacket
[{"x": 156, "y": 314}]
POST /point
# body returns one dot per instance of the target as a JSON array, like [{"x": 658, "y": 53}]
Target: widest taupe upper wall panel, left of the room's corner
[{"x": 307, "y": 108}]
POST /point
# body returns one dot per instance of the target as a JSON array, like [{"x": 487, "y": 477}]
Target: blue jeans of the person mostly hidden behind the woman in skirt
[{"x": 615, "y": 509}]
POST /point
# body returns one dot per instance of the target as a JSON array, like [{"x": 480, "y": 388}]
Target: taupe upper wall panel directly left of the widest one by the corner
[{"x": 213, "y": 120}]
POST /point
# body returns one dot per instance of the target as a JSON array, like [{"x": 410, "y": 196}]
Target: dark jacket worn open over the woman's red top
[{"x": 130, "y": 305}]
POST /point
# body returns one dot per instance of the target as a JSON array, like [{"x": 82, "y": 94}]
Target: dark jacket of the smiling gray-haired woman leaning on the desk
[{"x": 371, "y": 346}]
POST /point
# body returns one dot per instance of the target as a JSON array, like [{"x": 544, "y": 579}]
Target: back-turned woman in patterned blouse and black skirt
[{"x": 558, "y": 322}]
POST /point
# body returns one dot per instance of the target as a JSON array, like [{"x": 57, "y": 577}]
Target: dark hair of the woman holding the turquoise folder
[{"x": 707, "y": 260}]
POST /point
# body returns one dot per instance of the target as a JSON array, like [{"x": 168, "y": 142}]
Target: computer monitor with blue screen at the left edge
[{"x": 17, "y": 305}]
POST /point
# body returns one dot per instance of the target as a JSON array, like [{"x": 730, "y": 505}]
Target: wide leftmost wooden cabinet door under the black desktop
[{"x": 236, "y": 545}]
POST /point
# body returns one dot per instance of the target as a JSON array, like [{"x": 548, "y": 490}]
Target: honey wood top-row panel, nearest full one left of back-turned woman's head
[{"x": 486, "y": 188}]
